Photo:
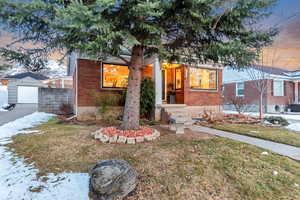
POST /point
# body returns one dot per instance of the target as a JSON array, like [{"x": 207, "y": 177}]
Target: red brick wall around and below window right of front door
[{"x": 201, "y": 97}]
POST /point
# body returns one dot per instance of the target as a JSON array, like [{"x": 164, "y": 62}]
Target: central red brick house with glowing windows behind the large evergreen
[{"x": 193, "y": 90}]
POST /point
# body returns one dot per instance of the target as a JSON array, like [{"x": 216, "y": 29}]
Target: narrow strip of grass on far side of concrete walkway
[{"x": 275, "y": 134}]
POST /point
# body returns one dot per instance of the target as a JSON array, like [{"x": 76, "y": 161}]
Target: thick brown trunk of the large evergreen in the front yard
[{"x": 131, "y": 116}]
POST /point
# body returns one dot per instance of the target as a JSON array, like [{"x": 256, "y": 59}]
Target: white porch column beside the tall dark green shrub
[{"x": 158, "y": 88}]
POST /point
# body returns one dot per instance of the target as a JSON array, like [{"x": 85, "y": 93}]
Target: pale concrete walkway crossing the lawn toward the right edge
[{"x": 282, "y": 149}]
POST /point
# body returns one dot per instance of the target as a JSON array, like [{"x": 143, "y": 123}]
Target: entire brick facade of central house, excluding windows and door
[{"x": 88, "y": 74}]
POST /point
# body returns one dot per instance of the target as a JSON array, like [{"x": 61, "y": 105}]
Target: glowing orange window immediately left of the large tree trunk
[{"x": 114, "y": 76}]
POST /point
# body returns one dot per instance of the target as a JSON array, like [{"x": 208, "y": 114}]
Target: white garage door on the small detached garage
[{"x": 27, "y": 94}]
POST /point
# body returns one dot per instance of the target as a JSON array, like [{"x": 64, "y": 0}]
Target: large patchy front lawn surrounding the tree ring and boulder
[{"x": 193, "y": 166}]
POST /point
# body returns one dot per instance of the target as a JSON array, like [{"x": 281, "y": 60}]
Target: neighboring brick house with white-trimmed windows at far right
[{"x": 282, "y": 88}]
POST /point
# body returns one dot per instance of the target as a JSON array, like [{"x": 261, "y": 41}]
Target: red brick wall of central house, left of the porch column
[{"x": 89, "y": 81}]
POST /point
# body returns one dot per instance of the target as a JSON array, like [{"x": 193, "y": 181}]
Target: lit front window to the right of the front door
[{"x": 203, "y": 79}]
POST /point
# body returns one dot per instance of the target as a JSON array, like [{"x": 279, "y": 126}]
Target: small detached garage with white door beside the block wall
[{"x": 23, "y": 88}]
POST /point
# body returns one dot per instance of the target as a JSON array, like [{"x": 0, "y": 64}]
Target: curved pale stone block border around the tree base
[{"x": 98, "y": 135}]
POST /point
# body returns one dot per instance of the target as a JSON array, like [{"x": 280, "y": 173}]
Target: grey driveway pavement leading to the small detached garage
[{"x": 18, "y": 112}]
